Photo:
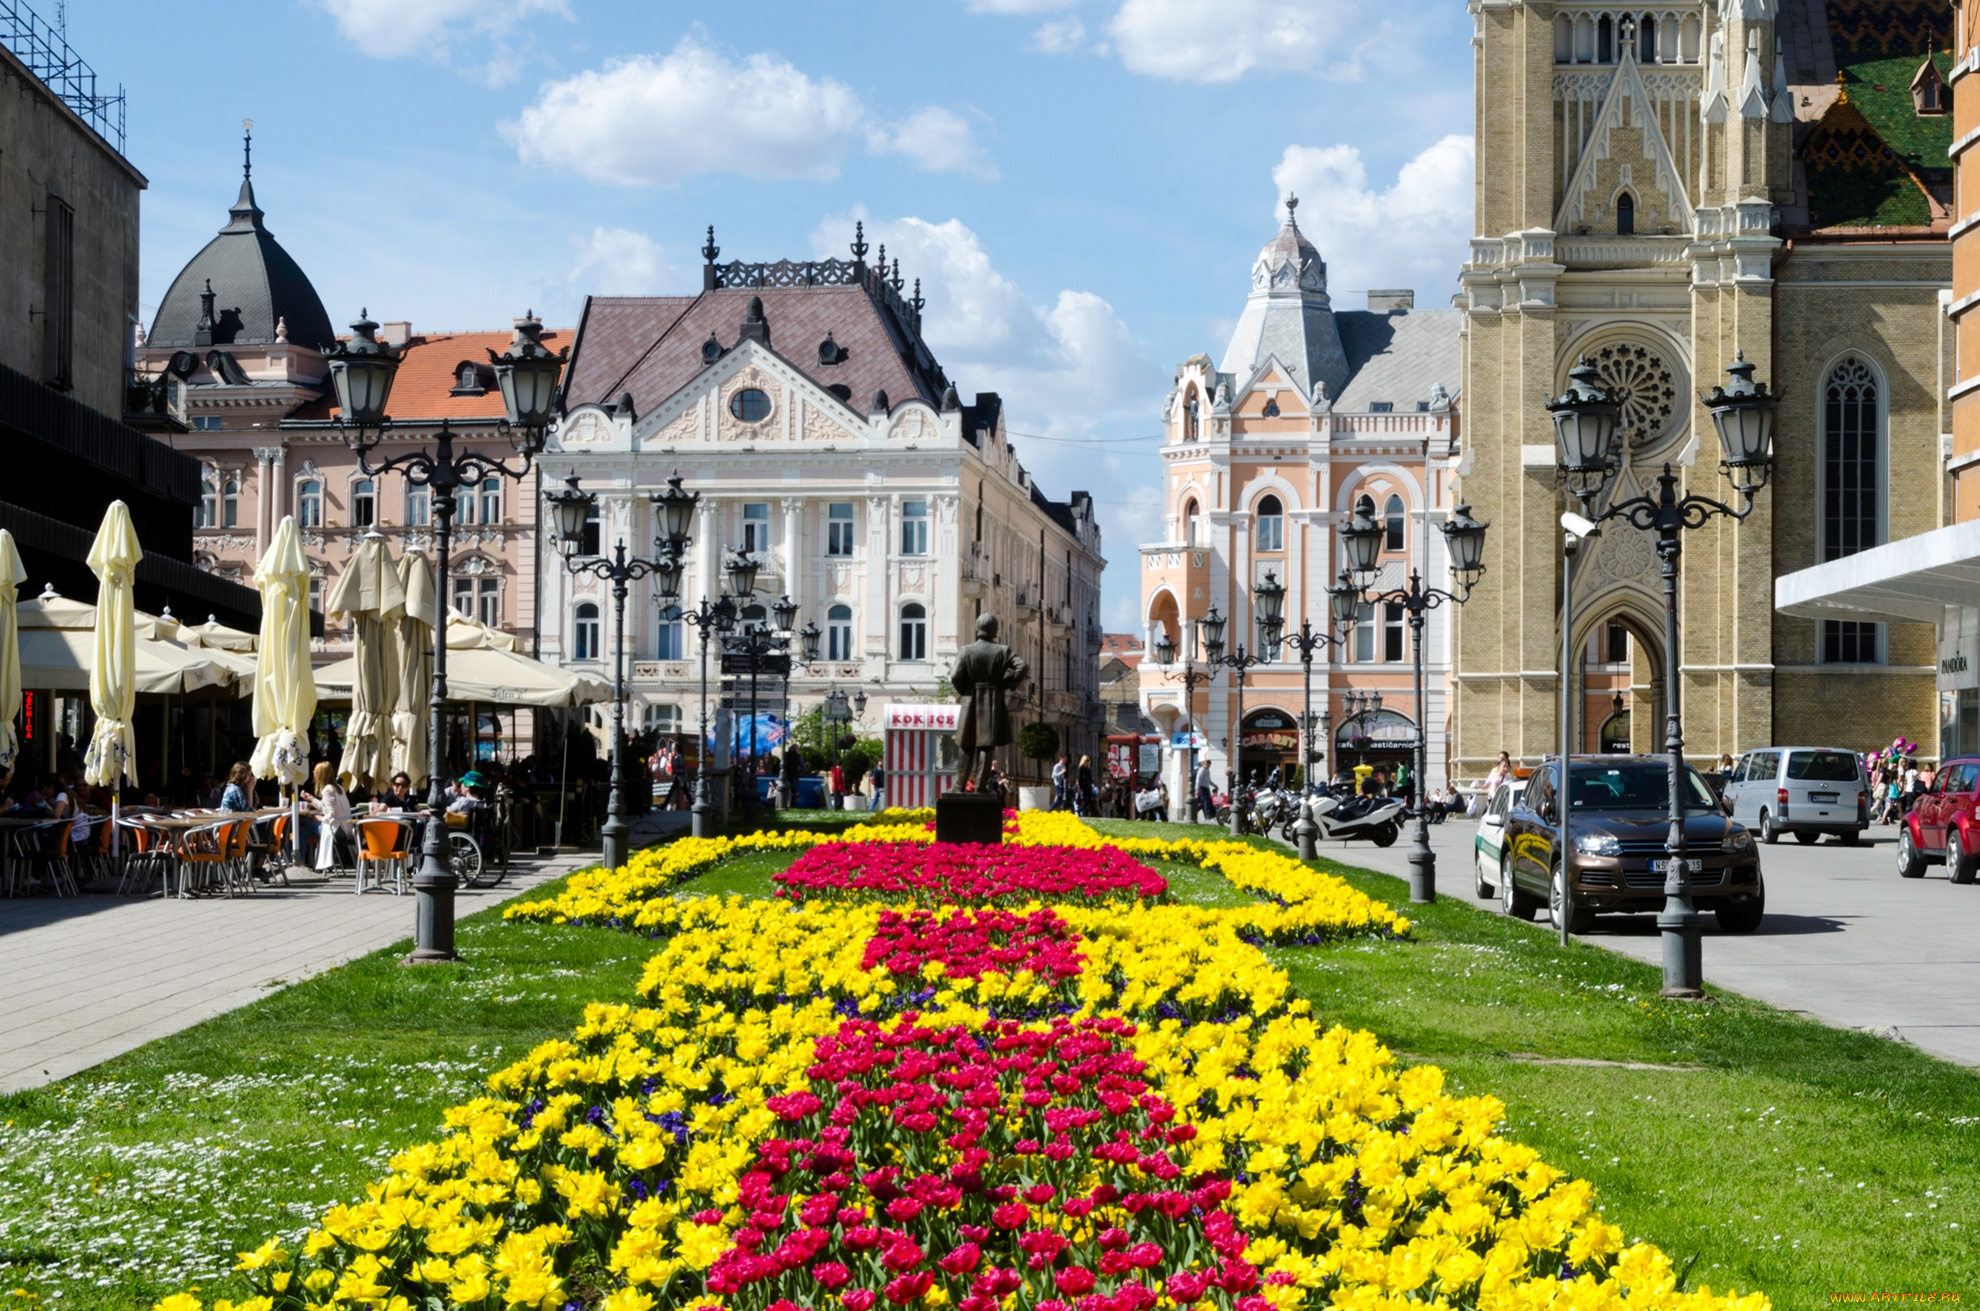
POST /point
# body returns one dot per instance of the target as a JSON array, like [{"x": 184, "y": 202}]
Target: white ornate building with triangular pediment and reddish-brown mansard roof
[{"x": 825, "y": 439}]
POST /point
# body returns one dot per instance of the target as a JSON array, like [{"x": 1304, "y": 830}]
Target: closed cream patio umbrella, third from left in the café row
[{"x": 284, "y": 688}]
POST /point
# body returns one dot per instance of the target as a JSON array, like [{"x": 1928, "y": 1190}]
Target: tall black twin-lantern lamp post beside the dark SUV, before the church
[{"x": 1585, "y": 431}]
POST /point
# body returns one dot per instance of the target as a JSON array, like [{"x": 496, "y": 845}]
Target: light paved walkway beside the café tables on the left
[{"x": 84, "y": 979}]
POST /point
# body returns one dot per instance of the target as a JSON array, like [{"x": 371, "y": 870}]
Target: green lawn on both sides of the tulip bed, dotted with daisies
[{"x": 1769, "y": 1152}]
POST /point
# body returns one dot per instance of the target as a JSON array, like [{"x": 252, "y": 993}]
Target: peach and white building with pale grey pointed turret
[{"x": 1310, "y": 415}]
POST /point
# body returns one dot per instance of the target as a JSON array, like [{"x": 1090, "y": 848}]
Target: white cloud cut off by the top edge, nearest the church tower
[{"x": 1223, "y": 41}]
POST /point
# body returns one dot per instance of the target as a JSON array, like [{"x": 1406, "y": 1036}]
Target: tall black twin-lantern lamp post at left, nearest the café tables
[{"x": 363, "y": 371}]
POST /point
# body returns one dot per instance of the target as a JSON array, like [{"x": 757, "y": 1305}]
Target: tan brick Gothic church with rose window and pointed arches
[{"x": 1660, "y": 189}]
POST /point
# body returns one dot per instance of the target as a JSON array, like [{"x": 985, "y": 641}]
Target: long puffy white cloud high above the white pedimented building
[{"x": 660, "y": 122}]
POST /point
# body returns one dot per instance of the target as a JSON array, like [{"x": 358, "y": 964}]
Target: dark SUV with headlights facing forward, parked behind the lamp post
[{"x": 1619, "y": 821}]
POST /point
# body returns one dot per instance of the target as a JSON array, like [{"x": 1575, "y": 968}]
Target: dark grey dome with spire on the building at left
[{"x": 254, "y": 286}]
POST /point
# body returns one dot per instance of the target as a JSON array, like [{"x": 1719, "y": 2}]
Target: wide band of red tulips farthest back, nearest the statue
[{"x": 963, "y": 874}]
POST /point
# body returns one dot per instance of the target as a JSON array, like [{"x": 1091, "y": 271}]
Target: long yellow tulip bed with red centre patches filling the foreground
[{"x": 793, "y": 1124}]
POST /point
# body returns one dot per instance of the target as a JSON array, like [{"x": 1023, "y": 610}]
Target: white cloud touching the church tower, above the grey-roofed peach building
[{"x": 1411, "y": 235}]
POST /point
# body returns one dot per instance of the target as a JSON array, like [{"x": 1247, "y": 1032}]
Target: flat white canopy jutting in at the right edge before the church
[{"x": 1910, "y": 581}]
